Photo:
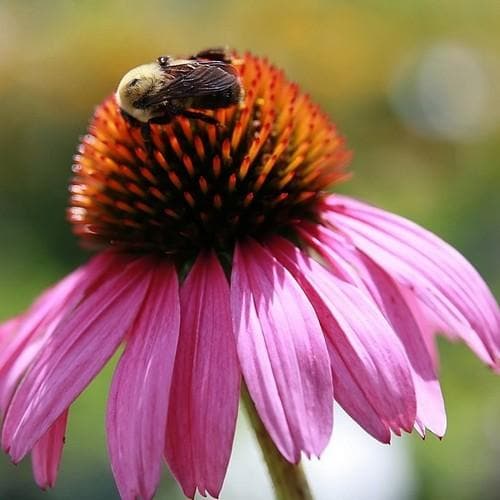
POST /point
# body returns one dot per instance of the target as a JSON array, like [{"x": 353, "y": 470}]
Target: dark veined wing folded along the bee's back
[{"x": 203, "y": 80}]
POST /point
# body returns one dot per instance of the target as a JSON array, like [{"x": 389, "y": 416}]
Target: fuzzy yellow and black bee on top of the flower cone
[{"x": 160, "y": 91}]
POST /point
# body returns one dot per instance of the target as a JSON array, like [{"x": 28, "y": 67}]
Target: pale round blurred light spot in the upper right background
[{"x": 450, "y": 92}]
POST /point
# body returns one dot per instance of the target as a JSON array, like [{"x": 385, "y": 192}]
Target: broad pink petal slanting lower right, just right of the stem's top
[{"x": 371, "y": 375}]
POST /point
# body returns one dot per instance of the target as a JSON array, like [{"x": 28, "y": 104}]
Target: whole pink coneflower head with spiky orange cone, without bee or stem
[{"x": 223, "y": 255}]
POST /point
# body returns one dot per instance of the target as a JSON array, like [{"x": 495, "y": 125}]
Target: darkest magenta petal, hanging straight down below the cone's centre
[{"x": 205, "y": 390}]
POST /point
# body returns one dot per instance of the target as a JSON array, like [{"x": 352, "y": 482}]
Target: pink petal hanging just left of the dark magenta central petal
[{"x": 138, "y": 402}]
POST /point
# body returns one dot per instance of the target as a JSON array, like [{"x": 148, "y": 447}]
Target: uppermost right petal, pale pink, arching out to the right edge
[{"x": 436, "y": 273}]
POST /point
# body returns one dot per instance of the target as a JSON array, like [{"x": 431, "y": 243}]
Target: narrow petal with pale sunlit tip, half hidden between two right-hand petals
[{"x": 391, "y": 301}]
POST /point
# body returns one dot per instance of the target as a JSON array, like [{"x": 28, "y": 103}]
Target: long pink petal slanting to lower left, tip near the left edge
[{"x": 75, "y": 353}]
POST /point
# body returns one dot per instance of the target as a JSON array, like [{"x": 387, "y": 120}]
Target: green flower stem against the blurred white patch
[{"x": 289, "y": 480}]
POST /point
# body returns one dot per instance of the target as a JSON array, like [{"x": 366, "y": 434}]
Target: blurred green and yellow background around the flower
[{"x": 415, "y": 87}]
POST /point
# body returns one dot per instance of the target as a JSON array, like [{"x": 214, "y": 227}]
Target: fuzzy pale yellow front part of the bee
[{"x": 137, "y": 84}]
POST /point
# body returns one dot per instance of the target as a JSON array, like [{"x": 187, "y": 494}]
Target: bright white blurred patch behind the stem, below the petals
[{"x": 353, "y": 467}]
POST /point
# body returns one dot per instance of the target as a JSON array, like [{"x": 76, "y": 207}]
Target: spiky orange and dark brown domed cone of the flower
[{"x": 266, "y": 165}]
